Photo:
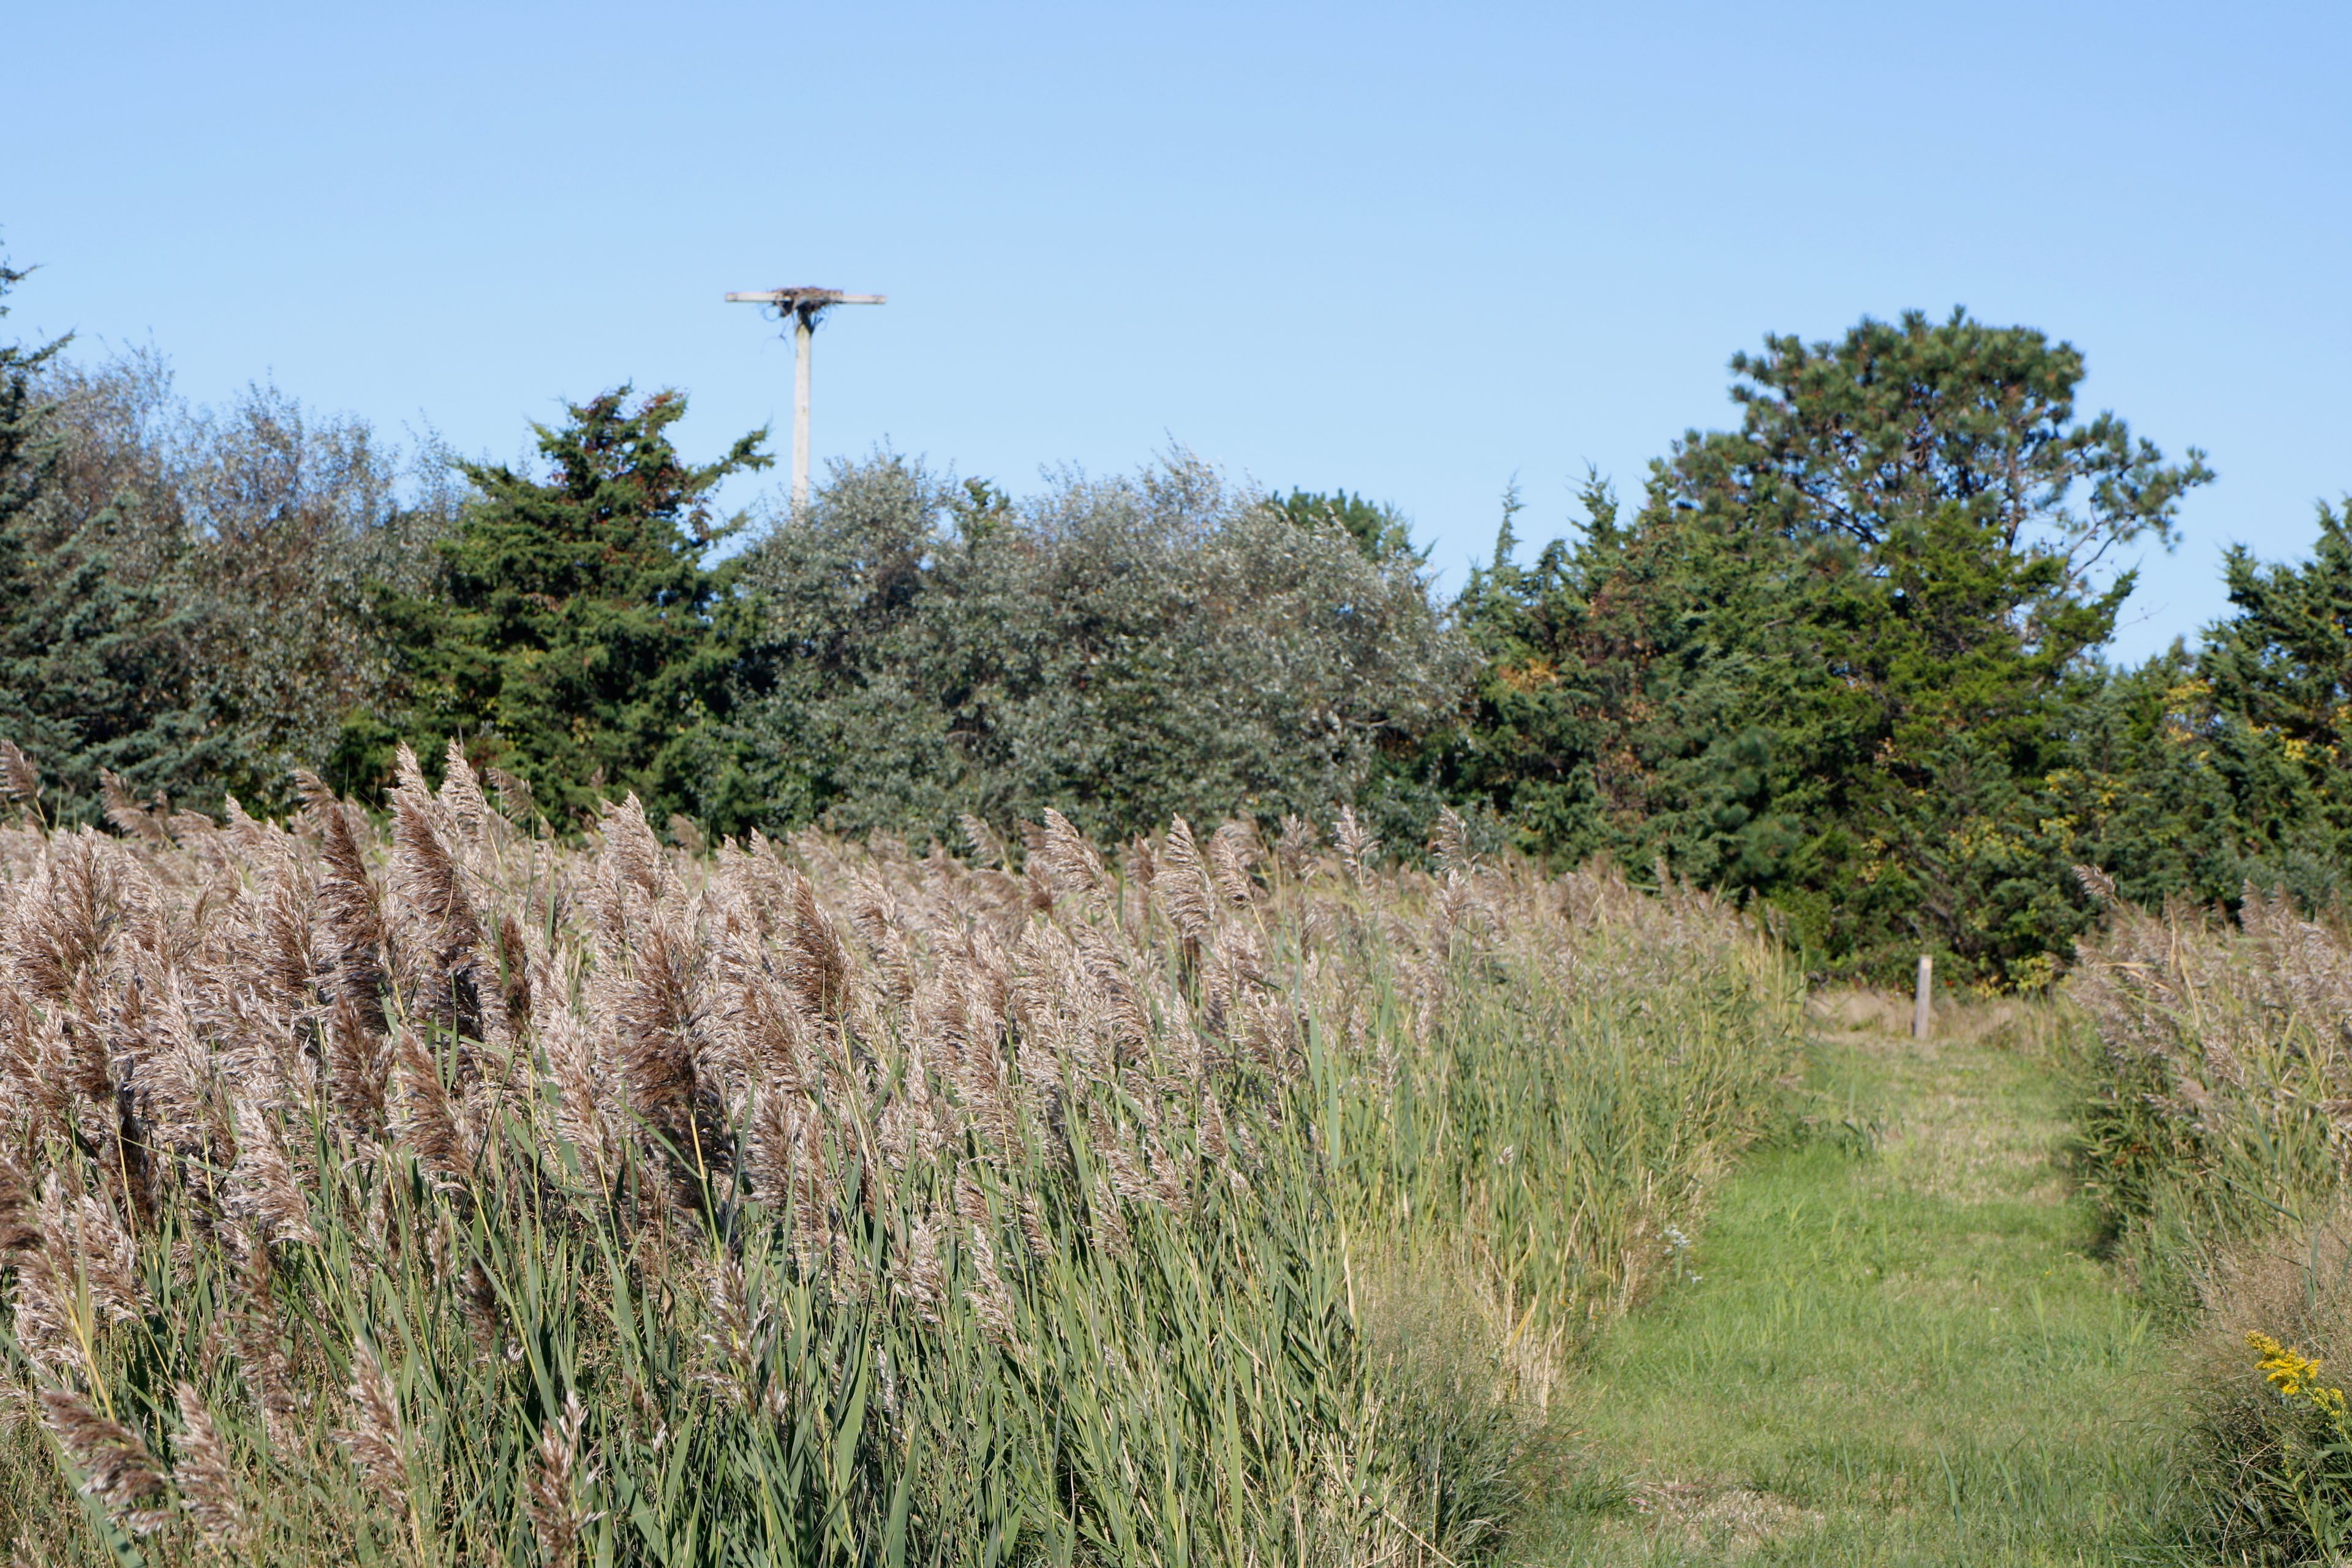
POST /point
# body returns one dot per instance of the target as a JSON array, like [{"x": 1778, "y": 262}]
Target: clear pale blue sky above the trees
[{"x": 1403, "y": 250}]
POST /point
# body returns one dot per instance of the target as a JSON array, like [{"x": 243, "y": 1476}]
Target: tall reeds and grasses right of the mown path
[{"x": 2214, "y": 1132}]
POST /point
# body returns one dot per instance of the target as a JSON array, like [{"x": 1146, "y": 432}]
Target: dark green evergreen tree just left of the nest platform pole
[{"x": 575, "y": 638}]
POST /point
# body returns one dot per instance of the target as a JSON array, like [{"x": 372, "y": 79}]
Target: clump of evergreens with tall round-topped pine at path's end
[{"x": 1838, "y": 657}]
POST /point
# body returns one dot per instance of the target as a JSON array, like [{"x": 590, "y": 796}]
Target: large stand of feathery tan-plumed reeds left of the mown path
[{"x": 436, "y": 1193}]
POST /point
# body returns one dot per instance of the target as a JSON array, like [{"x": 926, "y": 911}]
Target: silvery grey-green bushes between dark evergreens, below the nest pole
[{"x": 1118, "y": 650}]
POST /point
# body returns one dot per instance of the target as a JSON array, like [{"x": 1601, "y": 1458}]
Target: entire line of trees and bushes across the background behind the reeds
[{"x": 1847, "y": 659}]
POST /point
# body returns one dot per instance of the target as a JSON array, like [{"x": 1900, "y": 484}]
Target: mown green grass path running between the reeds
[{"x": 1883, "y": 1351}]
